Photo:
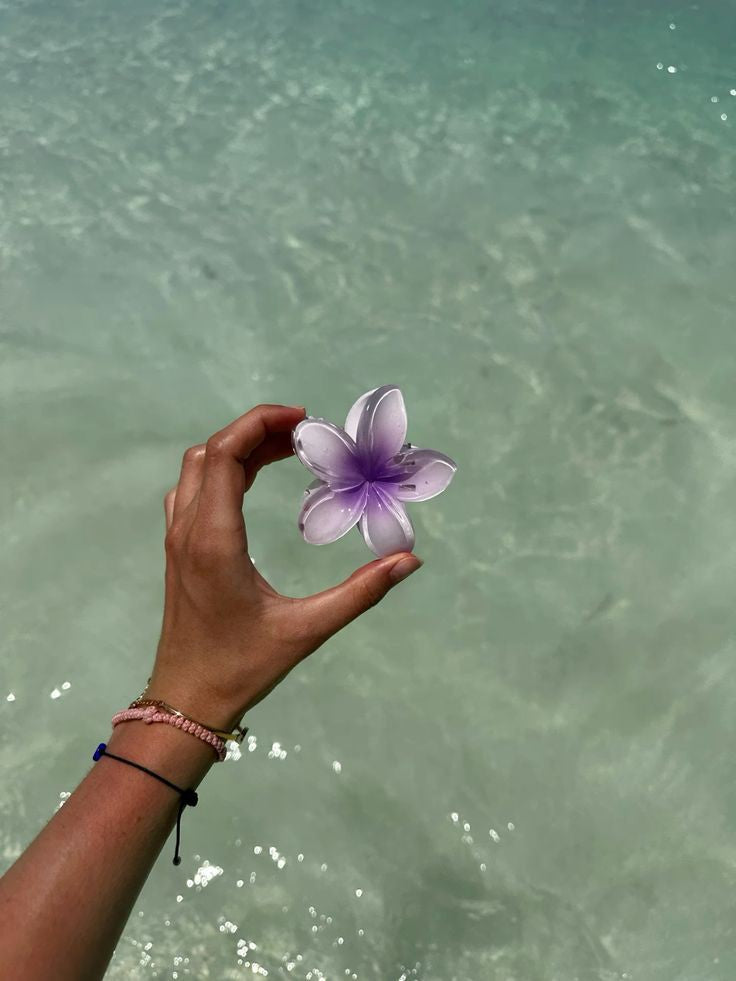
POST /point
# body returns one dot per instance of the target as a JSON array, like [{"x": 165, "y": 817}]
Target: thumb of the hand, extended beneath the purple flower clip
[{"x": 333, "y": 608}]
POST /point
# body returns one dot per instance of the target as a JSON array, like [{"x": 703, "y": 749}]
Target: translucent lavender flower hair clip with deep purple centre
[{"x": 365, "y": 472}]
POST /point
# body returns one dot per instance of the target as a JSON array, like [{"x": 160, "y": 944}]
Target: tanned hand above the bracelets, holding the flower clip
[{"x": 228, "y": 636}]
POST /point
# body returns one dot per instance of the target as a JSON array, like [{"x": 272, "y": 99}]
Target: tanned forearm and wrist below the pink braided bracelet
[{"x": 72, "y": 890}]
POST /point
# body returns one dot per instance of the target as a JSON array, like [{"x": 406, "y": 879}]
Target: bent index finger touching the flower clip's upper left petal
[{"x": 224, "y": 481}]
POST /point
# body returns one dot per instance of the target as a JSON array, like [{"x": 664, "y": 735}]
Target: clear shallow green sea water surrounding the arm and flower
[{"x": 512, "y": 212}]
